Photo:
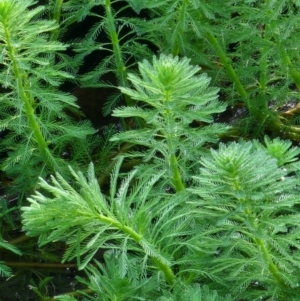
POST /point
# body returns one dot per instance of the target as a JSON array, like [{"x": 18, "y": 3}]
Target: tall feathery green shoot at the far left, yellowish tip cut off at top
[{"x": 33, "y": 111}]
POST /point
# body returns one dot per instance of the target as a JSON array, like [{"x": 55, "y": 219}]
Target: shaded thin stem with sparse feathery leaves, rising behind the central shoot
[{"x": 123, "y": 49}]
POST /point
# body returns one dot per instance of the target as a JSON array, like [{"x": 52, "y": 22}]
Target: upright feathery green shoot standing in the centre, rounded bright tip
[{"x": 171, "y": 96}]
